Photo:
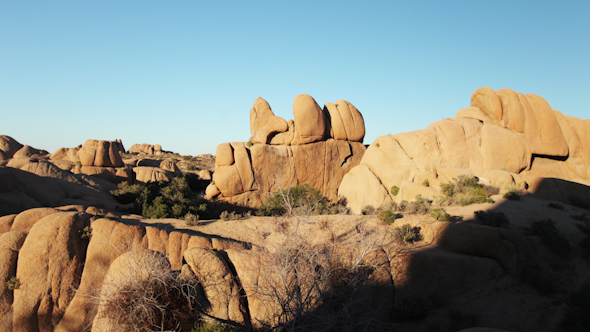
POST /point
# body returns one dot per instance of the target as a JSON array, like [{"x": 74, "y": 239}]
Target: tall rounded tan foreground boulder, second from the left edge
[{"x": 50, "y": 264}]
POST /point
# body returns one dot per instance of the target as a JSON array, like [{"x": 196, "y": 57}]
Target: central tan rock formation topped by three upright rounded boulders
[{"x": 317, "y": 147}]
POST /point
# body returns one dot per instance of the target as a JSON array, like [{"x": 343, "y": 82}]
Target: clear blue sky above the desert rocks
[{"x": 184, "y": 74}]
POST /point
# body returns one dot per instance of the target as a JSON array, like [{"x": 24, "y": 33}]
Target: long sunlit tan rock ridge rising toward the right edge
[{"x": 504, "y": 138}]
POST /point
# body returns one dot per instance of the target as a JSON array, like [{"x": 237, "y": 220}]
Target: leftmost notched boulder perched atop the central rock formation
[{"x": 263, "y": 123}]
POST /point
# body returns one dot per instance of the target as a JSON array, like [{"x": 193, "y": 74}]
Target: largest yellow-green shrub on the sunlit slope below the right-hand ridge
[{"x": 464, "y": 191}]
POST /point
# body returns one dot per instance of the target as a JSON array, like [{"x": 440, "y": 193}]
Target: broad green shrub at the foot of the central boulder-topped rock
[{"x": 302, "y": 197}]
